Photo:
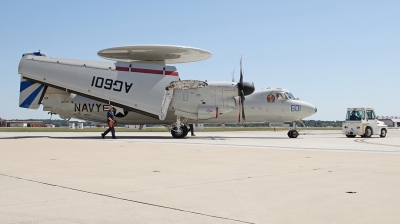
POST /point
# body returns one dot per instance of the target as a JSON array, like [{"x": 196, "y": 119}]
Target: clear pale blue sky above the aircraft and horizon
[{"x": 333, "y": 54}]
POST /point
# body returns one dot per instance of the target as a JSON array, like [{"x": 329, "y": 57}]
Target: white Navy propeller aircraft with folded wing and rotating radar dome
[{"x": 145, "y": 90}]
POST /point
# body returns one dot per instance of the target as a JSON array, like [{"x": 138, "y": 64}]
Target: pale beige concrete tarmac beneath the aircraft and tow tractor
[{"x": 214, "y": 177}]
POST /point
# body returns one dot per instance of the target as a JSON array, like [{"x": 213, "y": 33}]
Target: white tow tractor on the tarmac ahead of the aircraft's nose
[{"x": 363, "y": 122}]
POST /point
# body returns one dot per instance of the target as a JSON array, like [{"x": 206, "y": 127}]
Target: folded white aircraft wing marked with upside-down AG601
[{"x": 137, "y": 87}]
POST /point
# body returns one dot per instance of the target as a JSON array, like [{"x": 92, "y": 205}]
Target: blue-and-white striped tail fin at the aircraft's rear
[{"x": 31, "y": 94}]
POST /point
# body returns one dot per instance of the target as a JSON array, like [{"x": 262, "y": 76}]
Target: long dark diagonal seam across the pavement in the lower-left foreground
[{"x": 125, "y": 199}]
